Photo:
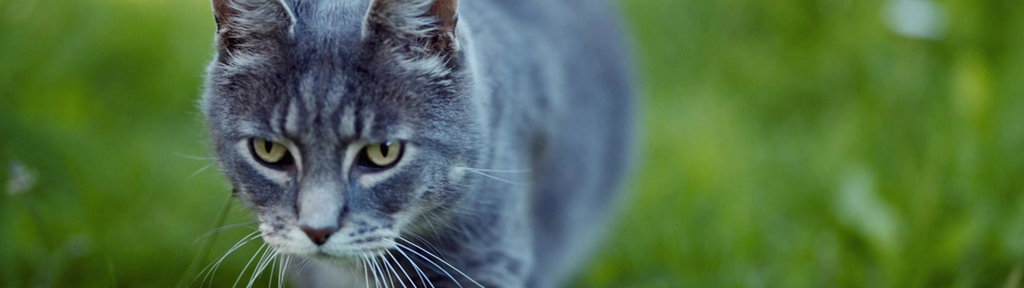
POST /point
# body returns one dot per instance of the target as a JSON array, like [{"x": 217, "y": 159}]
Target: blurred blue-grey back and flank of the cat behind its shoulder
[{"x": 561, "y": 74}]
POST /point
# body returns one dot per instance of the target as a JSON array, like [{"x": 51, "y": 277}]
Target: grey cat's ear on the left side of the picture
[{"x": 251, "y": 25}]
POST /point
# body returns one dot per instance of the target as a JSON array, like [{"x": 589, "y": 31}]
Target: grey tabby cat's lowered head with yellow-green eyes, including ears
[{"x": 343, "y": 126}]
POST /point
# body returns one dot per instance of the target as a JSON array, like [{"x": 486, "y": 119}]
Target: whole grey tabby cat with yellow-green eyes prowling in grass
[{"x": 424, "y": 143}]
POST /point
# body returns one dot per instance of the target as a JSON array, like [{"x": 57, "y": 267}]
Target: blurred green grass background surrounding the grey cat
[{"x": 789, "y": 144}]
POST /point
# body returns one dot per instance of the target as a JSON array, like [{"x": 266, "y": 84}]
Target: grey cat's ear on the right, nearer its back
[{"x": 424, "y": 26}]
